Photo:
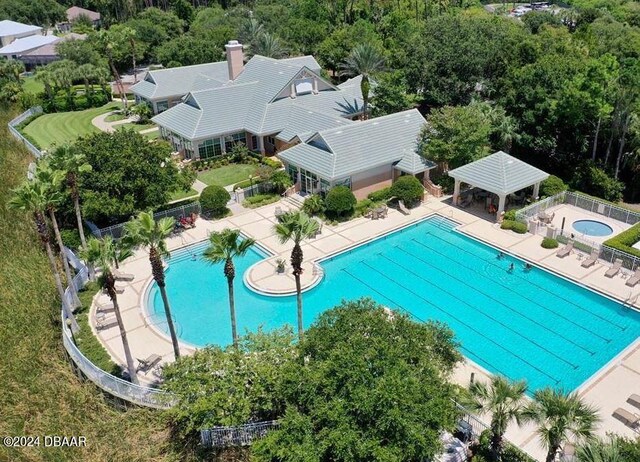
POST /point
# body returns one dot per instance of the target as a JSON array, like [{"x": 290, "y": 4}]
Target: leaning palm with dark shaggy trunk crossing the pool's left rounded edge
[{"x": 146, "y": 232}]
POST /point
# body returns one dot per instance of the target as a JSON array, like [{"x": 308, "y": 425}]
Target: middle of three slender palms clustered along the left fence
[{"x": 51, "y": 181}]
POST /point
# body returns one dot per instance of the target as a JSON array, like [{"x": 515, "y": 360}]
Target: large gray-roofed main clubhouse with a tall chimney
[{"x": 268, "y": 104}]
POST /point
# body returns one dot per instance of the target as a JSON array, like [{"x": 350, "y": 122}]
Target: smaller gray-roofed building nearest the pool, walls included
[{"x": 365, "y": 156}]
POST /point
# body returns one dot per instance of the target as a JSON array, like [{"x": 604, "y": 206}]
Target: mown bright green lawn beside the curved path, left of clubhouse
[{"x": 65, "y": 127}]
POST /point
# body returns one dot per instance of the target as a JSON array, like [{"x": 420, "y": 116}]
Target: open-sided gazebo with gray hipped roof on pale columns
[{"x": 500, "y": 174}]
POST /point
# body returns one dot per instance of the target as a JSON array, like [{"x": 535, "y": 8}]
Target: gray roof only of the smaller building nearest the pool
[{"x": 360, "y": 146}]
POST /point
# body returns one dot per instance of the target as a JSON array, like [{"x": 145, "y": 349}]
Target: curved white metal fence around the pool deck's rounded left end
[{"x": 127, "y": 391}]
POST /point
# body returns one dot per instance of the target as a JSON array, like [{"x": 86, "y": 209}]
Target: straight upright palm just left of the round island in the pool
[{"x": 224, "y": 247}]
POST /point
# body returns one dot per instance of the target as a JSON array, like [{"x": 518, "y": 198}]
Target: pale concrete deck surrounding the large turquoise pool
[{"x": 608, "y": 389}]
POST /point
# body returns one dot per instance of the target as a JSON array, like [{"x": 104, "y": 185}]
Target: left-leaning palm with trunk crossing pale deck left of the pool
[{"x": 104, "y": 253}]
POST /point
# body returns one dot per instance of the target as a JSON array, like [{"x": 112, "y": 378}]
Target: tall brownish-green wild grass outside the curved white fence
[{"x": 40, "y": 393}]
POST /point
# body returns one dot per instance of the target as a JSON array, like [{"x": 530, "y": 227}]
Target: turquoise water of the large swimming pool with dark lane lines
[{"x": 522, "y": 323}]
